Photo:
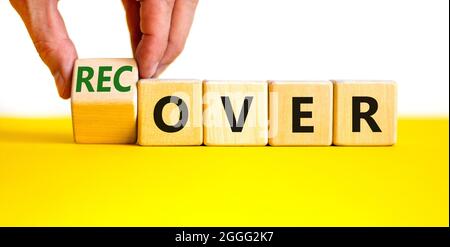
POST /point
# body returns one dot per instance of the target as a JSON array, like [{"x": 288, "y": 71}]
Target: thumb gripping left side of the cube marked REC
[{"x": 48, "y": 32}]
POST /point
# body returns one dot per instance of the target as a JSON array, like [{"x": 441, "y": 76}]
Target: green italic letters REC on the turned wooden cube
[{"x": 85, "y": 75}]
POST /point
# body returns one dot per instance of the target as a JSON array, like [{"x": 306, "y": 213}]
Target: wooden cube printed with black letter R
[{"x": 365, "y": 113}]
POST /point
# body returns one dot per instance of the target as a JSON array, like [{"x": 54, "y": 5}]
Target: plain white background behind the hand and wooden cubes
[{"x": 402, "y": 40}]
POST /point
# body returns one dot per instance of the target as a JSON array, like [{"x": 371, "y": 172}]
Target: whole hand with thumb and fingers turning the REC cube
[{"x": 158, "y": 31}]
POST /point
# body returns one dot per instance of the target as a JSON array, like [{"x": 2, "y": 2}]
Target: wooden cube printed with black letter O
[{"x": 170, "y": 112}]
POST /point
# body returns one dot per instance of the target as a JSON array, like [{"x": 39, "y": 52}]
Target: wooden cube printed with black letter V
[{"x": 235, "y": 113}]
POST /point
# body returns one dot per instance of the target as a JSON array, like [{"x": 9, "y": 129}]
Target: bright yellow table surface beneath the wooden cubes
[{"x": 47, "y": 180}]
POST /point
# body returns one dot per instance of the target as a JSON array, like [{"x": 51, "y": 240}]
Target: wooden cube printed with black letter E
[{"x": 300, "y": 113}]
